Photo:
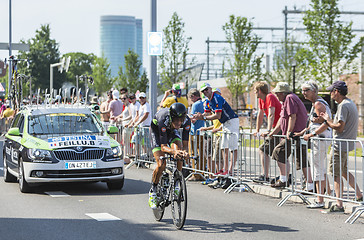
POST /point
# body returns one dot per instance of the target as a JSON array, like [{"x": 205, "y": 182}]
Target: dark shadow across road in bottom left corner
[{"x": 90, "y": 229}]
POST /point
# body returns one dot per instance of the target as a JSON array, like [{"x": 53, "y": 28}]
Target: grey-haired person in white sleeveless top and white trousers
[{"x": 317, "y": 127}]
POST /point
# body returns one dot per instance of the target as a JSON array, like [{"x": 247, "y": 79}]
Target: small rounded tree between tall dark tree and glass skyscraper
[{"x": 80, "y": 64}]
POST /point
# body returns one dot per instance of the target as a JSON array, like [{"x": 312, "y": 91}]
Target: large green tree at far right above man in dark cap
[{"x": 330, "y": 46}]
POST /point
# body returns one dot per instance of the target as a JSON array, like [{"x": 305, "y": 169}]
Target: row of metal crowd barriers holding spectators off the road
[{"x": 245, "y": 164}]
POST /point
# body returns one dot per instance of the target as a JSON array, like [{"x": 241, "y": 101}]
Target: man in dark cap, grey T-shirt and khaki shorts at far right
[{"x": 345, "y": 126}]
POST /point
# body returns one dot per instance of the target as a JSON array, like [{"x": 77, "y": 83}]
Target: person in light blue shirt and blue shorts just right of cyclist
[{"x": 197, "y": 142}]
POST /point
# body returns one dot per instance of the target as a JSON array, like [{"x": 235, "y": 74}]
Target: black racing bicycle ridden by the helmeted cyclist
[{"x": 171, "y": 190}]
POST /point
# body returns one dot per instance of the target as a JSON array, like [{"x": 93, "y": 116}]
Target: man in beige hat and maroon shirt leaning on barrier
[{"x": 293, "y": 118}]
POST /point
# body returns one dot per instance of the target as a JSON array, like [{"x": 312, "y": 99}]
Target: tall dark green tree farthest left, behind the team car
[{"x": 43, "y": 51}]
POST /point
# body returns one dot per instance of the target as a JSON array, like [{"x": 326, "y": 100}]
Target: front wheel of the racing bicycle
[{"x": 179, "y": 200}]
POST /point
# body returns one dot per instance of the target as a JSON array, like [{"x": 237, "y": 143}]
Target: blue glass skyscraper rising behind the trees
[{"x": 118, "y": 34}]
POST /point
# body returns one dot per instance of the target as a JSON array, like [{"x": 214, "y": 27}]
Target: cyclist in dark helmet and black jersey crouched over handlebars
[{"x": 166, "y": 139}]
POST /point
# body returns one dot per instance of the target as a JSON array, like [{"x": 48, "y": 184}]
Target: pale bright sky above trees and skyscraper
[{"x": 75, "y": 23}]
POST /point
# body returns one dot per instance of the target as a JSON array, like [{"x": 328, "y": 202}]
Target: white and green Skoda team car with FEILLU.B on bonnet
[{"x": 66, "y": 143}]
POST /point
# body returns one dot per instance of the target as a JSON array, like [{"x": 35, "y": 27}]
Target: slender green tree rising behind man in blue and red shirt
[{"x": 245, "y": 67}]
